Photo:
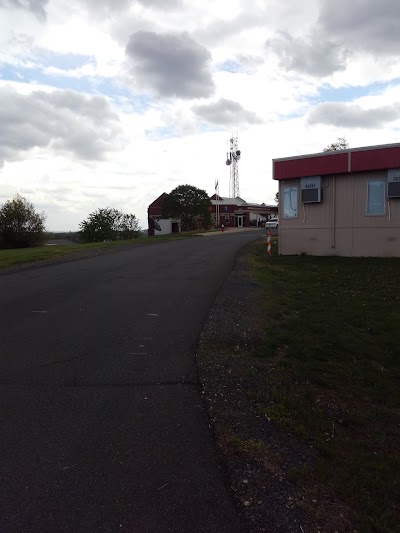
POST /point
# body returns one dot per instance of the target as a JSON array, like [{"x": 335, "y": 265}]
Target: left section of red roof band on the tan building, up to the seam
[{"x": 311, "y": 166}]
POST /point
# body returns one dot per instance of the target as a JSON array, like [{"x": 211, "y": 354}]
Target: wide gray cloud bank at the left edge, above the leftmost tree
[{"x": 63, "y": 120}]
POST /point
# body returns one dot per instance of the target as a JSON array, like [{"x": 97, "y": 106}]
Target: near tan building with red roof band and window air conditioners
[{"x": 340, "y": 203}]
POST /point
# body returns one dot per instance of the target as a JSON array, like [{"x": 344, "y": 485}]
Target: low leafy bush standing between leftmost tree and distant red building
[{"x": 109, "y": 224}]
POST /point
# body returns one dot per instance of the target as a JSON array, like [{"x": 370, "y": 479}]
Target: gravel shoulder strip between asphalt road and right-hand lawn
[{"x": 263, "y": 463}]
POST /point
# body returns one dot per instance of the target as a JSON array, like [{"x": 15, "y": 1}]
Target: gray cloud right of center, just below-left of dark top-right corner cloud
[{"x": 314, "y": 55}]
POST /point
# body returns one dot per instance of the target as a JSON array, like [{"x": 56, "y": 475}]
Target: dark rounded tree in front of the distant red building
[{"x": 189, "y": 204}]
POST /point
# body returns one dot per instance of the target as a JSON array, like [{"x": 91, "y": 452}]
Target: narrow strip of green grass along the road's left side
[{"x": 9, "y": 258}]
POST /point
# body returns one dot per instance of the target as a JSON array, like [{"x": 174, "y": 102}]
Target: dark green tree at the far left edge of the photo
[{"x": 20, "y": 225}]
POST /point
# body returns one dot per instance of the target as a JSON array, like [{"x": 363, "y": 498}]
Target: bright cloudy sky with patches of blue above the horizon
[{"x": 112, "y": 102}]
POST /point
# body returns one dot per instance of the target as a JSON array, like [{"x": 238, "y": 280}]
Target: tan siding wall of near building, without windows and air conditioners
[{"x": 340, "y": 225}]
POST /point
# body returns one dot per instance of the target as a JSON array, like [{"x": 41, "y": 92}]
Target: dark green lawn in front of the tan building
[{"x": 333, "y": 339}]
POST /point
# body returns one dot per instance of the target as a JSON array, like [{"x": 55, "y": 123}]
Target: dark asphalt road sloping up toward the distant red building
[{"x": 103, "y": 427}]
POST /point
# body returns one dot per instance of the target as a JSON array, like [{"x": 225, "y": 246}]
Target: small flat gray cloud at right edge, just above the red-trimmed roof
[{"x": 353, "y": 116}]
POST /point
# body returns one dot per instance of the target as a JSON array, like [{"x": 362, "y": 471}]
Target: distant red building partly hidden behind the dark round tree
[{"x": 233, "y": 212}]
